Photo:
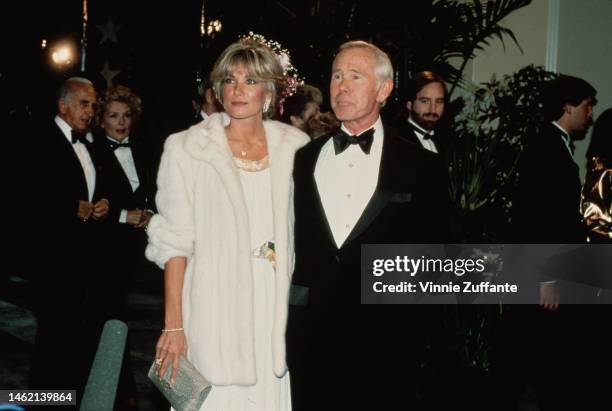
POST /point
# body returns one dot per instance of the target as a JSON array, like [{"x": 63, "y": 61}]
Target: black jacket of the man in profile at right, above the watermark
[{"x": 547, "y": 198}]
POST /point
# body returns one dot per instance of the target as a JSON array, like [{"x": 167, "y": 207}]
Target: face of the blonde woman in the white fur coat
[{"x": 243, "y": 96}]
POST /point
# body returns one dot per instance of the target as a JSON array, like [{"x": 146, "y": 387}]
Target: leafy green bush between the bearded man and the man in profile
[{"x": 488, "y": 138}]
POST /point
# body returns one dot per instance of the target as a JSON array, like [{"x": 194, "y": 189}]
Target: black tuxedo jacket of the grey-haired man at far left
[{"x": 58, "y": 184}]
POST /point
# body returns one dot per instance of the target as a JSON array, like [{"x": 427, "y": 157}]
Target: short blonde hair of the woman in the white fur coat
[{"x": 259, "y": 61}]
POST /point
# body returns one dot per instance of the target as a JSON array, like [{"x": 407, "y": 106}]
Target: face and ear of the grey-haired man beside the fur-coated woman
[{"x": 354, "y": 90}]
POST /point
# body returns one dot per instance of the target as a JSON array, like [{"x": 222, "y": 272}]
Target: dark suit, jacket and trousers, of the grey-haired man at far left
[{"x": 66, "y": 257}]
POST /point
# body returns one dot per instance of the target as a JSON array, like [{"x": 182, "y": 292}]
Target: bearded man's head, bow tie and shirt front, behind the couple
[{"x": 425, "y": 105}]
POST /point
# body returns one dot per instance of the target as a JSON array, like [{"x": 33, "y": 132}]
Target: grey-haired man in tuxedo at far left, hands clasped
[{"x": 66, "y": 207}]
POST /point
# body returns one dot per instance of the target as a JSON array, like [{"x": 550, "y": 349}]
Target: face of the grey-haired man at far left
[{"x": 78, "y": 107}]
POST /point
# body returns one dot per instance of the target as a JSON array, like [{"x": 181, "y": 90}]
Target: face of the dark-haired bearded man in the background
[{"x": 428, "y": 106}]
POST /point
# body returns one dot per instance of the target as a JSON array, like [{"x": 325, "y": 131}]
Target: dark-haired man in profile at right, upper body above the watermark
[{"x": 548, "y": 176}]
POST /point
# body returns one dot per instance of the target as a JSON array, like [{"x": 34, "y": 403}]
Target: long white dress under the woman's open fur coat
[{"x": 269, "y": 393}]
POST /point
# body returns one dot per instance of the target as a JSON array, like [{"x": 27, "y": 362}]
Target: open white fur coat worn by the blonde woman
[{"x": 203, "y": 216}]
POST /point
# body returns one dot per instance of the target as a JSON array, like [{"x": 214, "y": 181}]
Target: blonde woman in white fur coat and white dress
[{"x": 224, "y": 236}]
